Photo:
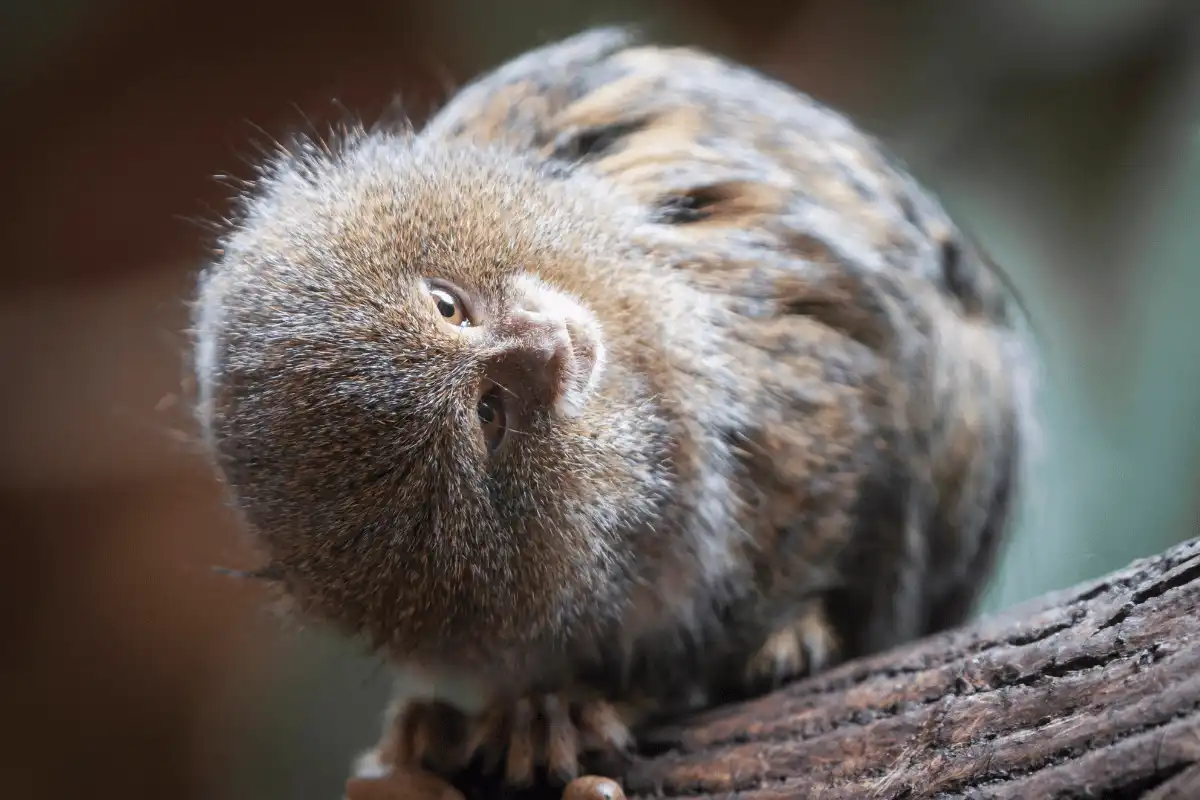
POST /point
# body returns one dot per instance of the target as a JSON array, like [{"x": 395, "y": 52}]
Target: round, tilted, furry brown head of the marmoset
[{"x": 411, "y": 369}]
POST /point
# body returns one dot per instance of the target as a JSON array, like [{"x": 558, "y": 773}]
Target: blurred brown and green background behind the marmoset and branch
[{"x": 1063, "y": 133}]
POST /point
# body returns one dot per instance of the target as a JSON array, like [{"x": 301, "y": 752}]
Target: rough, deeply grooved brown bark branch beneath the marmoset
[{"x": 1094, "y": 693}]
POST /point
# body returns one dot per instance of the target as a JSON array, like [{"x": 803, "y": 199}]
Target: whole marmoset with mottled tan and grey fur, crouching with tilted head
[{"x": 634, "y": 381}]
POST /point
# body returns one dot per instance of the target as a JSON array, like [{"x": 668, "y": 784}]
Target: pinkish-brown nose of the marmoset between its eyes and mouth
[{"x": 535, "y": 365}]
